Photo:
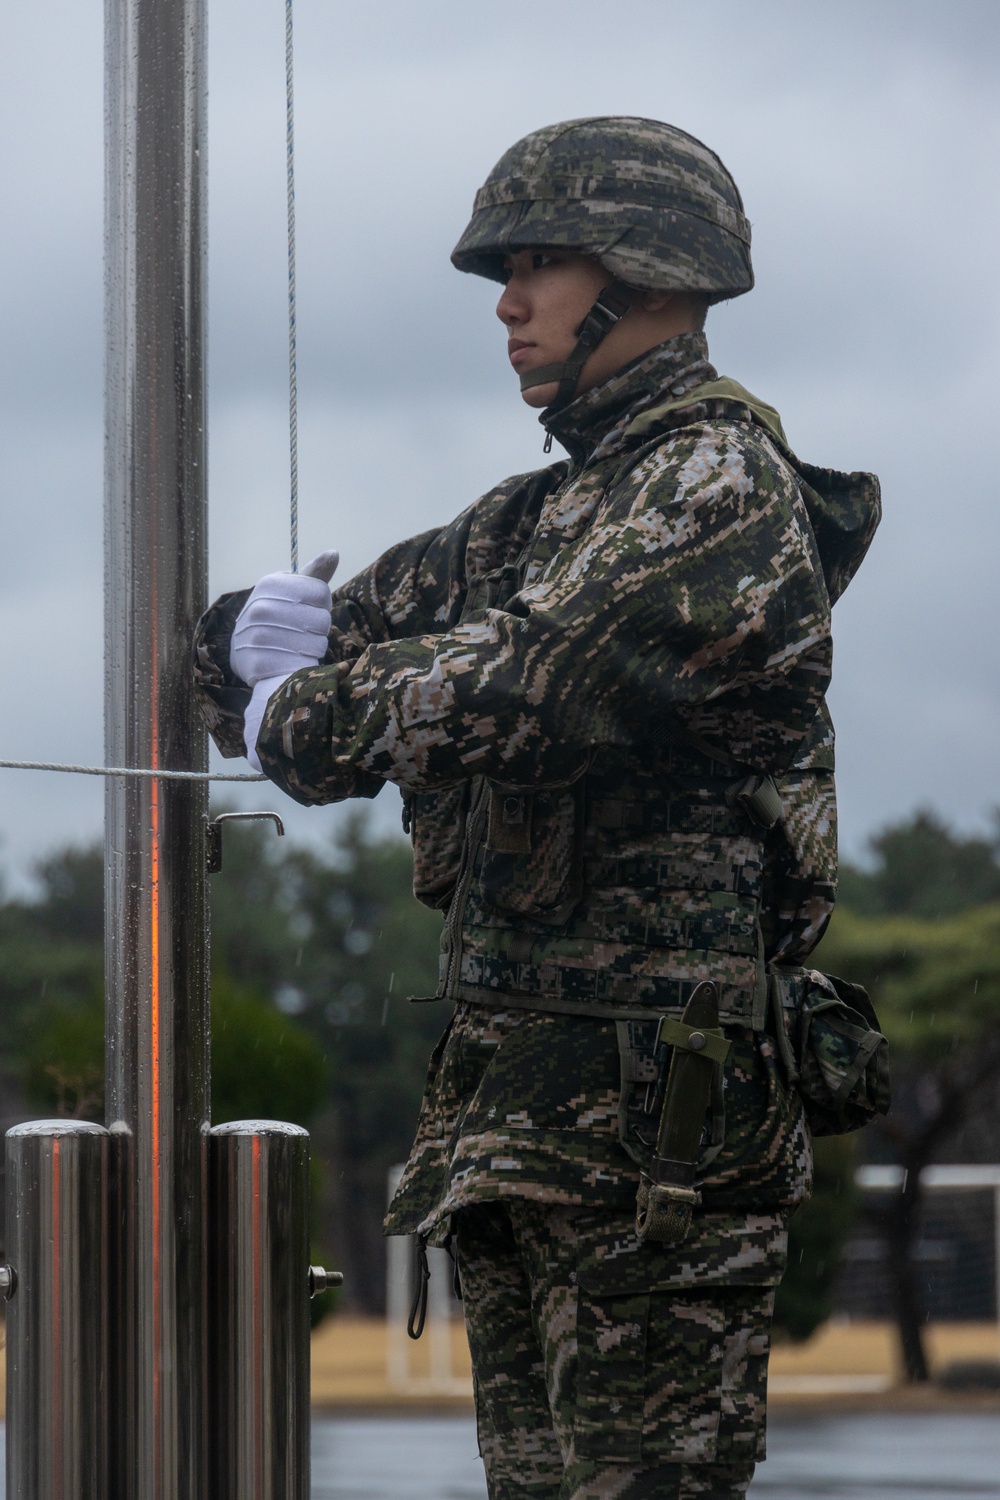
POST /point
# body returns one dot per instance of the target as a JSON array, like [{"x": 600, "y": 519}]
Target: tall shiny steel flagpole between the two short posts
[{"x": 155, "y": 586}]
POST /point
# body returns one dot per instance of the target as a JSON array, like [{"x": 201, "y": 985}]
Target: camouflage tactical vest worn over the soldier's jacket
[{"x": 615, "y": 896}]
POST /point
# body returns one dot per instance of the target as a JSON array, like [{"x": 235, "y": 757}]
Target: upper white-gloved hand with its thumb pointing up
[{"x": 286, "y": 623}]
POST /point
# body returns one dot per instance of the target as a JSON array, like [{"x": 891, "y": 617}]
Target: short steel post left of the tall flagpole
[{"x": 58, "y": 1325}]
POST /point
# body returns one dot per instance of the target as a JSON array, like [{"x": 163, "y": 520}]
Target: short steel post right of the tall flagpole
[{"x": 260, "y": 1334}]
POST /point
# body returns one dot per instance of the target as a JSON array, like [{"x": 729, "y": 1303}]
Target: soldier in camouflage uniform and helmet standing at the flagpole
[{"x": 602, "y": 694}]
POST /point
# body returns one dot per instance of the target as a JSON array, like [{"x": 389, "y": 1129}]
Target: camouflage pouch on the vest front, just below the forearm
[{"x": 533, "y": 863}]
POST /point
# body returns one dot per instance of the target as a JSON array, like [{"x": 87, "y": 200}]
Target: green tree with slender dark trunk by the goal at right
[{"x": 936, "y": 988}]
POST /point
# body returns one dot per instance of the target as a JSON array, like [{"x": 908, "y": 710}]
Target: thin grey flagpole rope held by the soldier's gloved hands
[{"x": 293, "y": 455}]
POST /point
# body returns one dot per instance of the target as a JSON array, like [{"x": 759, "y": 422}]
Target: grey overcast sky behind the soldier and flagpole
[{"x": 866, "y": 140}]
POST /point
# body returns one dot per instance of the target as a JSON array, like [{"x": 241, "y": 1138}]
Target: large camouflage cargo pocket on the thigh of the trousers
[{"x": 672, "y": 1376}]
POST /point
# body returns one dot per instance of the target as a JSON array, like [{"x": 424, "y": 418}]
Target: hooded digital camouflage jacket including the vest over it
[{"x": 566, "y": 683}]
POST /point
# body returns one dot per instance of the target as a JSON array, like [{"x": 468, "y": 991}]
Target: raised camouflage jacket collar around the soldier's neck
[{"x": 596, "y": 424}]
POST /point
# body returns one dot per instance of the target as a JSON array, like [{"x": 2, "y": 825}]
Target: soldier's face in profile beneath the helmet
[{"x": 548, "y": 295}]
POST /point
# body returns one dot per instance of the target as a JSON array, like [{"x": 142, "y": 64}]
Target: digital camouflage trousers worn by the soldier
[{"x": 593, "y": 1387}]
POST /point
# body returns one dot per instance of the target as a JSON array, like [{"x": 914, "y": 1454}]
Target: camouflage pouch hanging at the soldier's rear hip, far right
[{"x": 830, "y": 1042}]
